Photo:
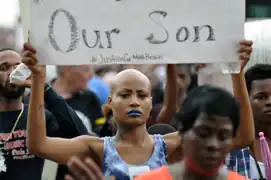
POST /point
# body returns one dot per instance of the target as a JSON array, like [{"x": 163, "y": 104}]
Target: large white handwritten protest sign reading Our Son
[{"x": 69, "y": 32}]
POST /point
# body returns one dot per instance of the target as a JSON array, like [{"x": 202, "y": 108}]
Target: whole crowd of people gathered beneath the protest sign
[{"x": 124, "y": 122}]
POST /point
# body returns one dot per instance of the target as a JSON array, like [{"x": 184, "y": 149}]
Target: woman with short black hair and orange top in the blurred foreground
[{"x": 208, "y": 122}]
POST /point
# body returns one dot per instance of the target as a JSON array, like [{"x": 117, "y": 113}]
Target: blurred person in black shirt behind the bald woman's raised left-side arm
[{"x": 71, "y": 84}]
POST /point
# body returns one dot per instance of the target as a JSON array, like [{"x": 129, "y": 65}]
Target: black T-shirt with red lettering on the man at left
[{"x": 17, "y": 162}]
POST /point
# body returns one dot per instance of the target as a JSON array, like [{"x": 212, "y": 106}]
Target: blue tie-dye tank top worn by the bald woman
[{"x": 113, "y": 165}]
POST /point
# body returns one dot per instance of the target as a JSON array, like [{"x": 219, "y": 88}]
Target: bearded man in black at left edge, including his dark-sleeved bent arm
[{"x": 15, "y": 160}]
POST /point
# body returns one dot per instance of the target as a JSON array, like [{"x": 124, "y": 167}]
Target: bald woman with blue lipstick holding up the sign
[{"x": 130, "y": 152}]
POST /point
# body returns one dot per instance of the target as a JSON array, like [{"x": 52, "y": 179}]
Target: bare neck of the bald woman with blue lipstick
[{"x": 137, "y": 135}]
